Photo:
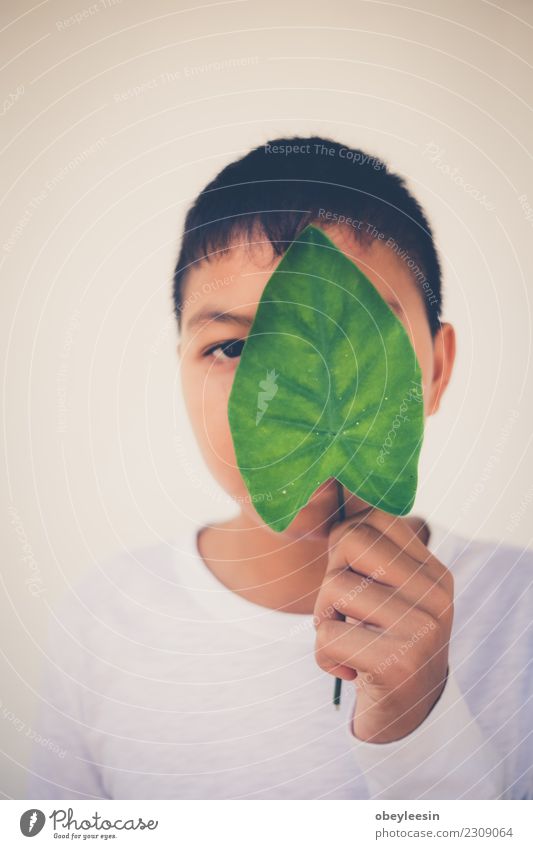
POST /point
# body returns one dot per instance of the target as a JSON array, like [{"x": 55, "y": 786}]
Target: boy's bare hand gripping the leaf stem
[{"x": 381, "y": 575}]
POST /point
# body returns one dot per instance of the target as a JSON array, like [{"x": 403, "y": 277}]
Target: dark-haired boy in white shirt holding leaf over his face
[{"x": 205, "y": 669}]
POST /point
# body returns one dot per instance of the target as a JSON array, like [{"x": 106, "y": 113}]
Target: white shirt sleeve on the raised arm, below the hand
[{"x": 446, "y": 757}]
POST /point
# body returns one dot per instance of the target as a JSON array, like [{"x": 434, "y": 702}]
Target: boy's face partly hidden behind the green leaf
[{"x": 234, "y": 283}]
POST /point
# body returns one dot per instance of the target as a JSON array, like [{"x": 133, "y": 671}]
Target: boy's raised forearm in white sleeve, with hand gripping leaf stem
[{"x": 412, "y": 732}]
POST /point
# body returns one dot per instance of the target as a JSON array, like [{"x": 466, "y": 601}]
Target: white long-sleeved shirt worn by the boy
[{"x": 160, "y": 683}]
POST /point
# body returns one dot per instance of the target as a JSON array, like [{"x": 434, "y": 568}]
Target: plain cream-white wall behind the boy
[{"x": 96, "y": 180}]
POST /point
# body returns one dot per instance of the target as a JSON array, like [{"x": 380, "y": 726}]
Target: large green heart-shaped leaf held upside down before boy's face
[{"x": 328, "y": 385}]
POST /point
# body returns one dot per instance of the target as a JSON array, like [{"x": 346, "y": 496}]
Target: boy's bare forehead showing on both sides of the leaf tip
[{"x": 235, "y": 280}]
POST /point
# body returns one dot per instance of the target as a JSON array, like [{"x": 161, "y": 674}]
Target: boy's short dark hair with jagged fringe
[{"x": 279, "y": 188}]
